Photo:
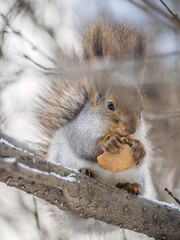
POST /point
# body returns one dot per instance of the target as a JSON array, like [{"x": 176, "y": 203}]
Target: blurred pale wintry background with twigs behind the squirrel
[{"x": 37, "y": 37}]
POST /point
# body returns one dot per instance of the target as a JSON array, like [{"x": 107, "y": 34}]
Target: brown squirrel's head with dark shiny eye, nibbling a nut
[{"x": 119, "y": 104}]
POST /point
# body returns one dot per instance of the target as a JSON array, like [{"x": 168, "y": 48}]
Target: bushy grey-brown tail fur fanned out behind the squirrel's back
[{"x": 58, "y": 107}]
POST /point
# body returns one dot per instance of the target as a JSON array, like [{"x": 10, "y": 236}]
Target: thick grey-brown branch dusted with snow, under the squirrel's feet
[{"x": 85, "y": 197}]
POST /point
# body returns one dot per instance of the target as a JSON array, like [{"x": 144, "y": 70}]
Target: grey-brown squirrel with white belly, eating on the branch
[{"x": 78, "y": 113}]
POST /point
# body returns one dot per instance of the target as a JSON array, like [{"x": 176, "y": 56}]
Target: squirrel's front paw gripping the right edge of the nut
[{"x": 138, "y": 149}]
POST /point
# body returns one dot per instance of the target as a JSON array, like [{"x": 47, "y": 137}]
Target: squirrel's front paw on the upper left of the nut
[{"x": 111, "y": 143}]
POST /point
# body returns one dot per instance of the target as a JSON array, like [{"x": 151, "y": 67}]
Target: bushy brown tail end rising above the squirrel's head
[{"x": 114, "y": 42}]
